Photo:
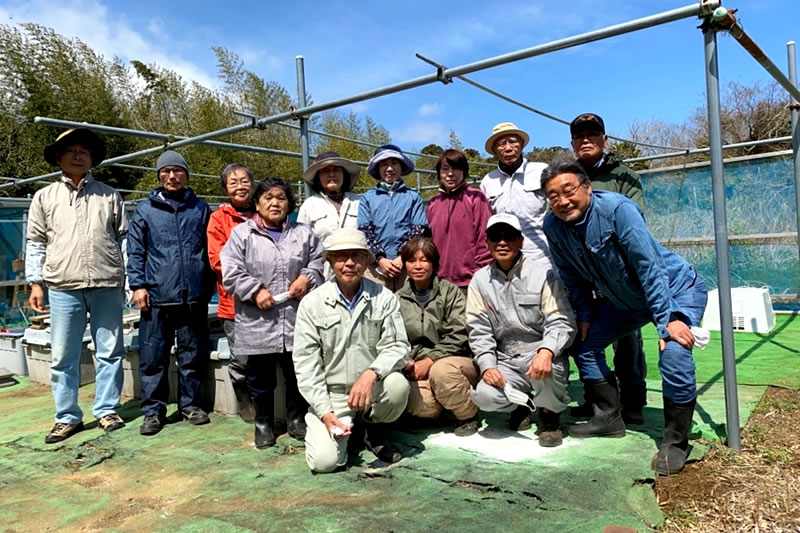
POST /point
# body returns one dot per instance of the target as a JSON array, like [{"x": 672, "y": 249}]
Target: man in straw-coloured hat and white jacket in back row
[{"x": 514, "y": 188}]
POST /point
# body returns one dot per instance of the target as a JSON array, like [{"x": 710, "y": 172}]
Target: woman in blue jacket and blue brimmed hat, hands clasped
[{"x": 390, "y": 215}]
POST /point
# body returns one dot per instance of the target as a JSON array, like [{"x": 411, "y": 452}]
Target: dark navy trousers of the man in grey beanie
[{"x": 158, "y": 329}]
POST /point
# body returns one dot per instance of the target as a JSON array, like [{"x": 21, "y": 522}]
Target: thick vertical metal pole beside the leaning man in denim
[{"x": 721, "y": 239}]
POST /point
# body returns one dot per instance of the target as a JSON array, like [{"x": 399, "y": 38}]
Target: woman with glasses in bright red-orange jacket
[{"x": 236, "y": 181}]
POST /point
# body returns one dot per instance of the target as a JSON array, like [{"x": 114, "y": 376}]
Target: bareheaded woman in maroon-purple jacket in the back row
[{"x": 457, "y": 218}]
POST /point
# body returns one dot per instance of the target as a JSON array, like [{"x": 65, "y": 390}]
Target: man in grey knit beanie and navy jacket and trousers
[{"x": 169, "y": 271}]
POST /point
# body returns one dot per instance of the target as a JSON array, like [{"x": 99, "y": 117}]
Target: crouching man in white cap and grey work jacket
[{"x": 520, "y": 324}]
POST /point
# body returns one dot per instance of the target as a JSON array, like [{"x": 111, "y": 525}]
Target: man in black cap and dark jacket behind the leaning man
[{"x": 608, "y": 173}]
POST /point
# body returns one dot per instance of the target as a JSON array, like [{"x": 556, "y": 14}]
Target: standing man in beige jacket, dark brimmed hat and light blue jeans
[{"x": 76, "y": 232}]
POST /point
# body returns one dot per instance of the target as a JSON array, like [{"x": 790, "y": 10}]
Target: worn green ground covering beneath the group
[{"x": 210, "y": 478}]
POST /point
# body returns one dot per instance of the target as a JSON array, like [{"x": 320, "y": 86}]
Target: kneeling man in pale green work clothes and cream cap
[{"x": 349, "y": 346}]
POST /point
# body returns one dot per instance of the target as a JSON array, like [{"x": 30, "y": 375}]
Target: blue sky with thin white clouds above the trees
[{"x": 351, "y": 47}]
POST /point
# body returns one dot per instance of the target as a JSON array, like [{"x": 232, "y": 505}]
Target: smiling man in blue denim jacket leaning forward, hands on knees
[{"x": 600, "y": 239}]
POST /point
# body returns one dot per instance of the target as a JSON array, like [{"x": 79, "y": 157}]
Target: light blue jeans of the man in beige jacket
[{"x": 67, "y": 323}]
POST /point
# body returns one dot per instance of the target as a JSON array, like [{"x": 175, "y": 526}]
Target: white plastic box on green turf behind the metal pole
[{"x": 751, "y": 308}]
